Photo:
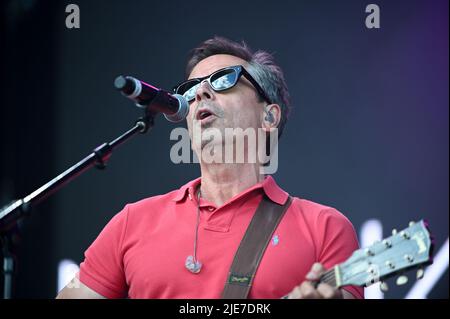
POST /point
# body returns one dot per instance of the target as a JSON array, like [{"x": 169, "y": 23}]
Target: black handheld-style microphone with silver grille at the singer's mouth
[{"x": 174, "y": 106}]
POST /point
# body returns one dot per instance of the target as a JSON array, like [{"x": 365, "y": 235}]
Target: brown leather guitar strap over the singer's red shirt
[{"x": 251, "y": 249}]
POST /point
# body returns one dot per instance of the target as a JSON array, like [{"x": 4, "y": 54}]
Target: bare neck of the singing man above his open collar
[{"x": 221, "y": 182}]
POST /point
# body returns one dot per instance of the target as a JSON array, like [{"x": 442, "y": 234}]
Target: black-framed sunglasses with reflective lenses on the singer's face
[{"x": 220, "y": 80}]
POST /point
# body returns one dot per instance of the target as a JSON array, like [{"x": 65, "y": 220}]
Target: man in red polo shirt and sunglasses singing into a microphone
[{"x": 182, "y": 244}]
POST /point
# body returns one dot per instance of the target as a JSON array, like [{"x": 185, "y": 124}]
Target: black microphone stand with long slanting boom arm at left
[{"x": 11, "y": 214}]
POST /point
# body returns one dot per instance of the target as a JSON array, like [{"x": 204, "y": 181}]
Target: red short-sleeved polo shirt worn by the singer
[{"x": 142, "y": 251}]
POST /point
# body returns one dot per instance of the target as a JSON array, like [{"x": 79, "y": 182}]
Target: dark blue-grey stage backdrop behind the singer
[{"x": 368, "y": 133}]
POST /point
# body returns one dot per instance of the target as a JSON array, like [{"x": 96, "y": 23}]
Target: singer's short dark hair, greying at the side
[{"x": 262, "y": 67}]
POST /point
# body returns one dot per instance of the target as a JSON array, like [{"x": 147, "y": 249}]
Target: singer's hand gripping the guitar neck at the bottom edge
[{"x": 323, "y": 291}]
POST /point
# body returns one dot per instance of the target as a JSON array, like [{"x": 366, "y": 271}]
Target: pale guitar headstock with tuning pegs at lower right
[{"x": 404, "y": 250}]
